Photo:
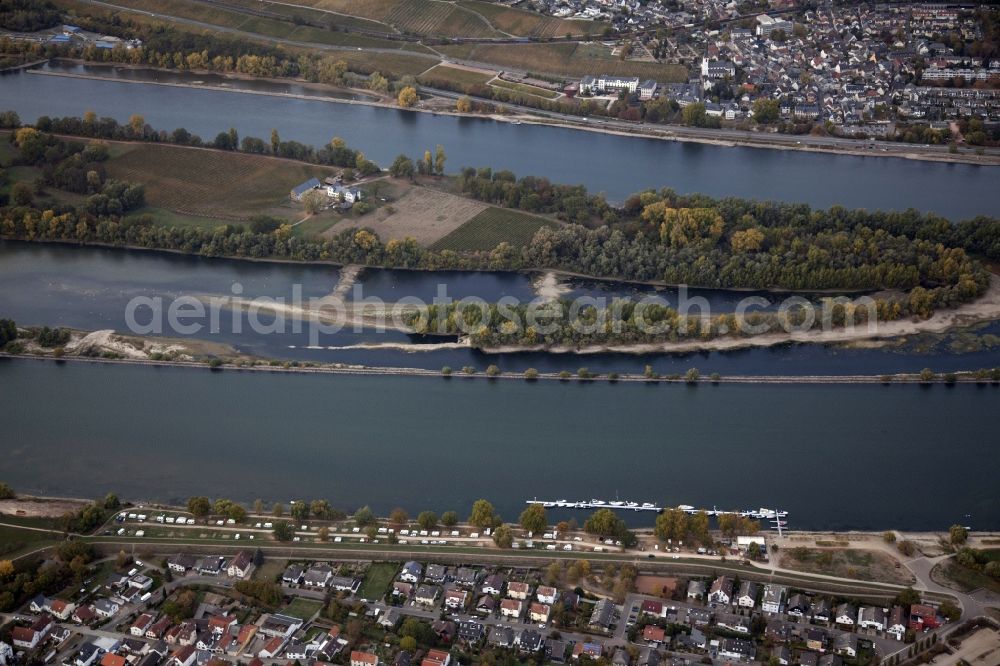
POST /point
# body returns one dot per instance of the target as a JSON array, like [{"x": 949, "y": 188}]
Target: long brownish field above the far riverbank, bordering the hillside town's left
[{"x": 564, "y": 59}]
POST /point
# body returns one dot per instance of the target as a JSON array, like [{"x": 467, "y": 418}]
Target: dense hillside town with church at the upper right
[{"x": 862, "y": 70}]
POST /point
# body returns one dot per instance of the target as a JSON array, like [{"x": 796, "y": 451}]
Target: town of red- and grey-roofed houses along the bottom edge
[{"x": 189, "y": 609}]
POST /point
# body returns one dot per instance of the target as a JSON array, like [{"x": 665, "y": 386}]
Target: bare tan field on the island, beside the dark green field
[{"x": 423, "y": 214}]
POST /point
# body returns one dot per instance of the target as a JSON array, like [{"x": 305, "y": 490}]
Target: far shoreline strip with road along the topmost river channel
[{"x": 517, "y": 117}]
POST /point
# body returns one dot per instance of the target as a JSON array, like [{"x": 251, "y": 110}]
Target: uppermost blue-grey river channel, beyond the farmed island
[{"x": 615, "y": 165}]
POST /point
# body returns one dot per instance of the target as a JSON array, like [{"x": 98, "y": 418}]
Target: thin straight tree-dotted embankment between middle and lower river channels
[{"x": 344, "y": 369}]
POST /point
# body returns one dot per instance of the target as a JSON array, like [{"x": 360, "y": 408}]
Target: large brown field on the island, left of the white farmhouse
[{"x": 211, "y": 183}]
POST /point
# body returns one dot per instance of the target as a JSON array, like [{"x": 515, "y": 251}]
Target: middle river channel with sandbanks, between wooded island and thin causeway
[{"x": 90, "y": 287}]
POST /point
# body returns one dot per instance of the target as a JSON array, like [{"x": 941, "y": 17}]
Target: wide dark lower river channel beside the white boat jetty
[{"x": 864, "y": 457}]
